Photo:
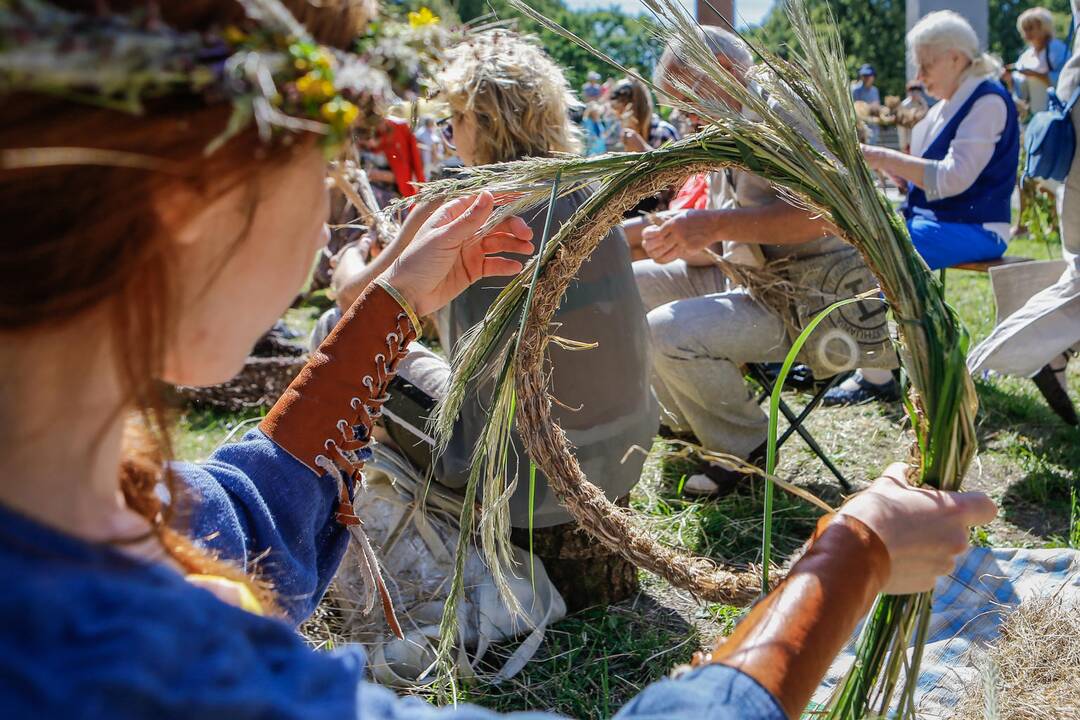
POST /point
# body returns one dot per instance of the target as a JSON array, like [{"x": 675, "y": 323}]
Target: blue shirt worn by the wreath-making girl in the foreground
[{"x": 93, "y": 633}]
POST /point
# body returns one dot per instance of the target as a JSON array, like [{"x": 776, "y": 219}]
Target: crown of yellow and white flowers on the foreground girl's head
[{"x": 269, "y": 67}]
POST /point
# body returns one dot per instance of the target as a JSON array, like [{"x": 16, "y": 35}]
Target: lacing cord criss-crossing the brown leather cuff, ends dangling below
[{"x": 345, "y": 458}]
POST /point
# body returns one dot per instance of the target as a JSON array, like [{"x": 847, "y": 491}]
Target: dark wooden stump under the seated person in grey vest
[{"x": 585, "y": 573}]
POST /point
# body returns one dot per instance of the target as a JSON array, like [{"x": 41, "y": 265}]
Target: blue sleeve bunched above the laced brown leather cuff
[{"x": 258, "y": 506}]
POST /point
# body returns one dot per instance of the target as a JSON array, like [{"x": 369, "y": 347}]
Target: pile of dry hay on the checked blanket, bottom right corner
[{"x": 1033, "y": 671}]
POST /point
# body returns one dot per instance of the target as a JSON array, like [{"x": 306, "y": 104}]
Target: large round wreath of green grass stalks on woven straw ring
[{"x": 828, "y": 176}]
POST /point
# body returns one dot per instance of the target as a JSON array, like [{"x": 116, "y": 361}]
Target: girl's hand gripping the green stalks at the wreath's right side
[{"x": 924, "y": 529}]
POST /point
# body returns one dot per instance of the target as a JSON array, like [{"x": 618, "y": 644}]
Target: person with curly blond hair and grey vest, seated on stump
[{"x": 509, "y": 101}]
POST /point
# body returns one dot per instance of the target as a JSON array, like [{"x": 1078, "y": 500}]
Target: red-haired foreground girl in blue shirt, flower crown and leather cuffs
[{"x": 138, "y": 588}]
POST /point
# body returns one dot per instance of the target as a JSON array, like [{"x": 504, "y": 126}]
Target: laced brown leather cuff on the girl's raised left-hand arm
[{"x": 330, "y": 407}]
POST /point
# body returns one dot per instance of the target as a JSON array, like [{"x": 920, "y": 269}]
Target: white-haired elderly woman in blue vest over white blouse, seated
[{"x": 963, "y": 167}]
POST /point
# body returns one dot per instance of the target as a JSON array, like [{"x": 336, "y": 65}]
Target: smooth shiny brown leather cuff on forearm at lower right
[{"x": 790, "y": 639}]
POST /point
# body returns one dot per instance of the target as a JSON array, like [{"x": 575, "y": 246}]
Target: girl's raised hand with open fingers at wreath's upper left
[{"x": 449, "y": 253}]
